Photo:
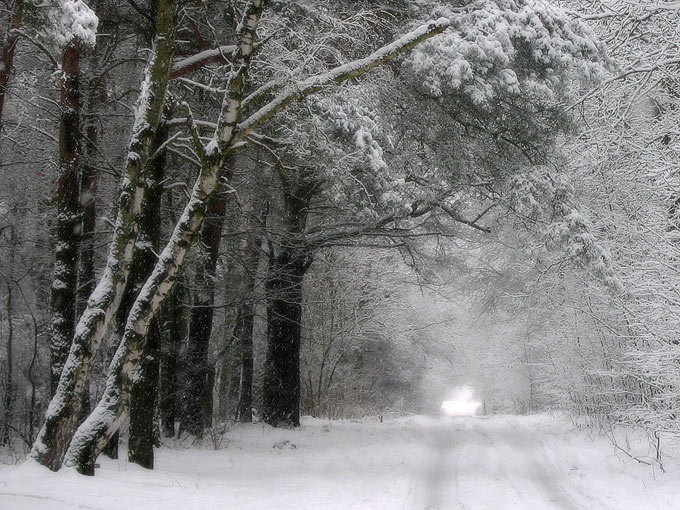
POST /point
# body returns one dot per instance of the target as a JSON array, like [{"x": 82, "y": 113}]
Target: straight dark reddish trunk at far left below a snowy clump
[{"x": 65, "y": 280}]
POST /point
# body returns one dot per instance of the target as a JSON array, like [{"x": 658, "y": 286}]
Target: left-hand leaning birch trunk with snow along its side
[{"x": 62, "y": 414}]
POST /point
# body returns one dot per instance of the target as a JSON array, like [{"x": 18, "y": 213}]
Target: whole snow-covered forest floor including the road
[{"x": 413, "y": 463}]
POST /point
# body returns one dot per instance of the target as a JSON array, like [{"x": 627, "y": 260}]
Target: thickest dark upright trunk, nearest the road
[{"x": 281, "y": 390}]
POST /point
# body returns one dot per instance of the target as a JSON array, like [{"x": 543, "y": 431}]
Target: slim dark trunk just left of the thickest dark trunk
[{"x": 251, "y": 255}]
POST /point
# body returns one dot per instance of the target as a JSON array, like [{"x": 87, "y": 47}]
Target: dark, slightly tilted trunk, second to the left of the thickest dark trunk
[{"x": 201, "y": 319}]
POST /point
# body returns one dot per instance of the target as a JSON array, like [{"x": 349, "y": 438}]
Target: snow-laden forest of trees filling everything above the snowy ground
[{"x": 215, "y": 211}]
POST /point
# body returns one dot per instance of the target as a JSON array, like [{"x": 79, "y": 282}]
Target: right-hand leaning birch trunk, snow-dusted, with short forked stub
[{"x": 93, "y": 434}]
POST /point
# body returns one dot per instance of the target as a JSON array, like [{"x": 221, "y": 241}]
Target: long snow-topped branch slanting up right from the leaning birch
[{"x": 339, "y": 74}]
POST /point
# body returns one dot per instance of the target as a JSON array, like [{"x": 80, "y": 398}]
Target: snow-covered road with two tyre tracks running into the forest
[{"x": 481, "y": 464}]
